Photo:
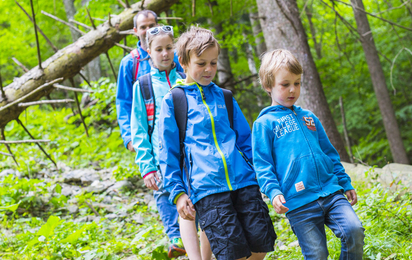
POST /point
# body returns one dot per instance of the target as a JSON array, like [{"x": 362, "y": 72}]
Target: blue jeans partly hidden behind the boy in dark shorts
[{"x": 168, "y": 212}]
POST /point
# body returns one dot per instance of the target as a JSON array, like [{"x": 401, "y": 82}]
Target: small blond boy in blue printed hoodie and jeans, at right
[{"x": 298, "y": 168}]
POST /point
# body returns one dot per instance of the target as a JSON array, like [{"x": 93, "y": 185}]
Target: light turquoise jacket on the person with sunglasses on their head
[{"x": 147, "y": 151}]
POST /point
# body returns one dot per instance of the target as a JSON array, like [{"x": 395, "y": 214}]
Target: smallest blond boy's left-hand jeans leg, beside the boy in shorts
[{"x": 308, "y": 224}]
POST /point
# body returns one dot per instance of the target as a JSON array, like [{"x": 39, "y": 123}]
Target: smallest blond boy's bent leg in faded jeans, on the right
[{"x": 343, "y": 221}]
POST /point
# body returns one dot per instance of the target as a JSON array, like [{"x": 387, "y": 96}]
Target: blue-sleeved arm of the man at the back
[{"x": 124, "y": 97}]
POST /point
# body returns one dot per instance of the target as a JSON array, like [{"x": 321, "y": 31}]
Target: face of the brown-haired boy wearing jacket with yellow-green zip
[{"x": 202, "y": 69}]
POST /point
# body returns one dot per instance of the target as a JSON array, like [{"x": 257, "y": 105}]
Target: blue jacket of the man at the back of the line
[{"x": 124, "y": 94}]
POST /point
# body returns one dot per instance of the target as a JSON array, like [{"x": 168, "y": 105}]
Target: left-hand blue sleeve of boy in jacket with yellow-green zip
[{"x": 169, "y": 150}]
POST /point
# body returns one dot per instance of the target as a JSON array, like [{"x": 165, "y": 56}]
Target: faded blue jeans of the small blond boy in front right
[{"x": 308, "y": 223}]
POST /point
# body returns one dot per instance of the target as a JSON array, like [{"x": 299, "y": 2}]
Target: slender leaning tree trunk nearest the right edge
[{"x": 379, "y": 84}]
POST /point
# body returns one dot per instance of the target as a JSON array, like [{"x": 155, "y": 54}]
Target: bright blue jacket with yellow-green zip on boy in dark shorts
[{"x": 216, "y": 155}]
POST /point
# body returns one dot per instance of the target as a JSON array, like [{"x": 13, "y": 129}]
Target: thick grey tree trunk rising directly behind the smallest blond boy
[{"x": 283, "y": 29}]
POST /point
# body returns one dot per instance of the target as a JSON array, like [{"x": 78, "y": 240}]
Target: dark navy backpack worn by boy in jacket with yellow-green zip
[{"x": 180, "y": 107}]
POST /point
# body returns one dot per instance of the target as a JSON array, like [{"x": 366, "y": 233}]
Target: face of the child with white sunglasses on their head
[{"x": 161, "y": 52}]
